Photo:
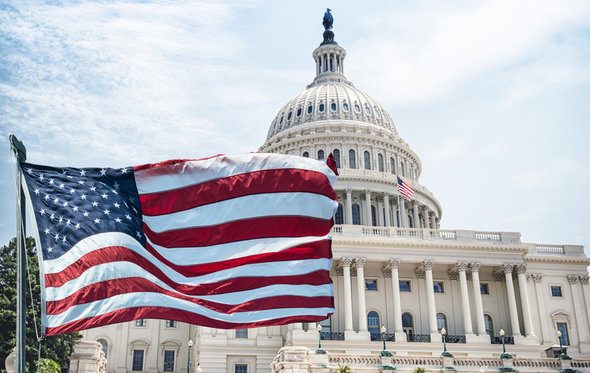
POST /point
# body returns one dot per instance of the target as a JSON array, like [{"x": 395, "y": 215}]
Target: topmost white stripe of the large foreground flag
[{"x": 195, "y": 172}]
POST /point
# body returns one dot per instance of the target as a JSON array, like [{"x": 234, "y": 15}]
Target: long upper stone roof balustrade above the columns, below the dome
[{"x": 425, "y": 234}]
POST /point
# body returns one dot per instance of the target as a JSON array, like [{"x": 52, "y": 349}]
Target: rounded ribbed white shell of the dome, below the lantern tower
[{"x": 332, "y": 98}]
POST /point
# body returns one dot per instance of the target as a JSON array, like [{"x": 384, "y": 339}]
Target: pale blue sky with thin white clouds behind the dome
[{"x": 494, "y": 96}]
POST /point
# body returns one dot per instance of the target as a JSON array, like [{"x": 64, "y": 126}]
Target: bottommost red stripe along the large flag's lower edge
[{"x": 130, "y": 314}]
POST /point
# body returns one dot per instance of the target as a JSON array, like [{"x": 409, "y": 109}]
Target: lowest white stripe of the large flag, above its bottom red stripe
[{"x": 124, "y": 301}]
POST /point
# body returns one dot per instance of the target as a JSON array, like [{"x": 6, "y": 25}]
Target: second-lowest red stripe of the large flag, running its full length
[{"x": 106, "y": 289}]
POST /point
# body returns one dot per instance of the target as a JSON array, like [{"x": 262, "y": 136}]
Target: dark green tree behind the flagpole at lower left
[{"x": 57, "y": 348}]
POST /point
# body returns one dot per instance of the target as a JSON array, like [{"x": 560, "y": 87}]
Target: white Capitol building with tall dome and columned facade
[{"x": 408, "y": 293}]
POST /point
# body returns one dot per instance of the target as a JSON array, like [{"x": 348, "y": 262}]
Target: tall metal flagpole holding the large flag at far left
[{"x": 20, "y": 153}]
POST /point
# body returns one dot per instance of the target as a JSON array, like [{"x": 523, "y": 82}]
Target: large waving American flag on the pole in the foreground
[{"x": 226, "y": 242}]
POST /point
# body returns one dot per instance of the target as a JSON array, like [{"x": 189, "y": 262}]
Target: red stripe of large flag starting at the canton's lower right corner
[{"x": 240, "y": 230}]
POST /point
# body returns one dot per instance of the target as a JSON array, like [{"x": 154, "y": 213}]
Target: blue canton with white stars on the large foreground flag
[{"x": 71, "y": 204}]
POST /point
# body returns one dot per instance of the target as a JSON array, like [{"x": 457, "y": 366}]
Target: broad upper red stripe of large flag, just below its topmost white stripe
[{"x": 256, "y": 182}]
